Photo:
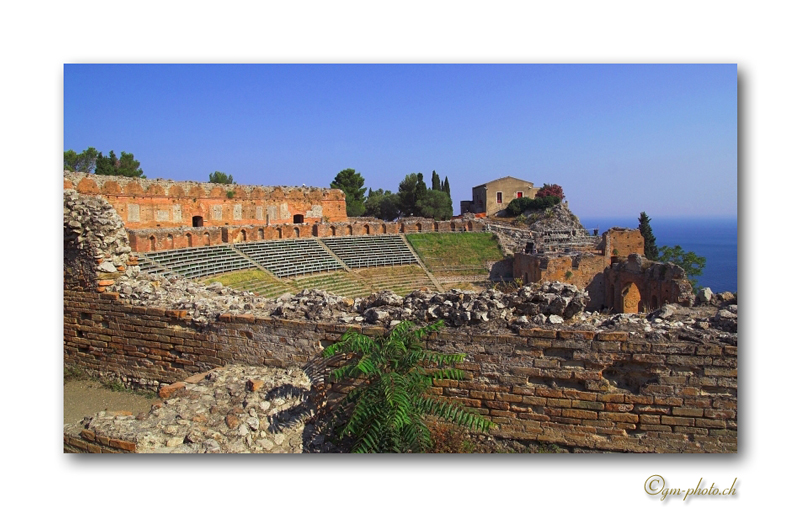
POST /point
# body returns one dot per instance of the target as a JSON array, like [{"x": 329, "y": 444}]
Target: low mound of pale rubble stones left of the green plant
[{"x": 235, "y": 409}]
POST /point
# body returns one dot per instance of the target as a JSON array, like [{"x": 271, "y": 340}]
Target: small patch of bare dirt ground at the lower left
[{"x": 86, "y": 397}]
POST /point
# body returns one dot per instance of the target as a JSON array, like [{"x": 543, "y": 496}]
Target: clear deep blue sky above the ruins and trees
[{"x": 620, "y": 139}]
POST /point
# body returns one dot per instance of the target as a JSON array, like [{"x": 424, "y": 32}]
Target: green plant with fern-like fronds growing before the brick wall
[{"x": 387, "y": 408}]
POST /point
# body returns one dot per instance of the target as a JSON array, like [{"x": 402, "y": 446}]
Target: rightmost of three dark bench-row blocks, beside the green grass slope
[{"x": 371, "y": 251}]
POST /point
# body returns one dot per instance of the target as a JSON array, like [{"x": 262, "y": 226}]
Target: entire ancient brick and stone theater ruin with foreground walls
[{"x": 221, "y": 297}]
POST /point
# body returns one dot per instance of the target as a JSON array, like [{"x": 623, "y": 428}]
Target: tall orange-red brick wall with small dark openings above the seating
[{"x": 160, "y": 203}]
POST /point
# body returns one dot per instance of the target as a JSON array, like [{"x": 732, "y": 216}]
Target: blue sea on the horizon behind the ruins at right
[{"x": 715, "y": 239}]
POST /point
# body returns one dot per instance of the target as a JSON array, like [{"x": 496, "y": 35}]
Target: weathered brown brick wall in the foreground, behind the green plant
[{"x": 595, "y": 390}]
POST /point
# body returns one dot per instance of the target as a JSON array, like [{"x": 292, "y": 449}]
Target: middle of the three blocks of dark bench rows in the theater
[{"x": 290, "y": 257}]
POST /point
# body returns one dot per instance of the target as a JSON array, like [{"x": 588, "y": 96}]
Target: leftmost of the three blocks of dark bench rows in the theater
[{"x": 195, "y": 262}]
